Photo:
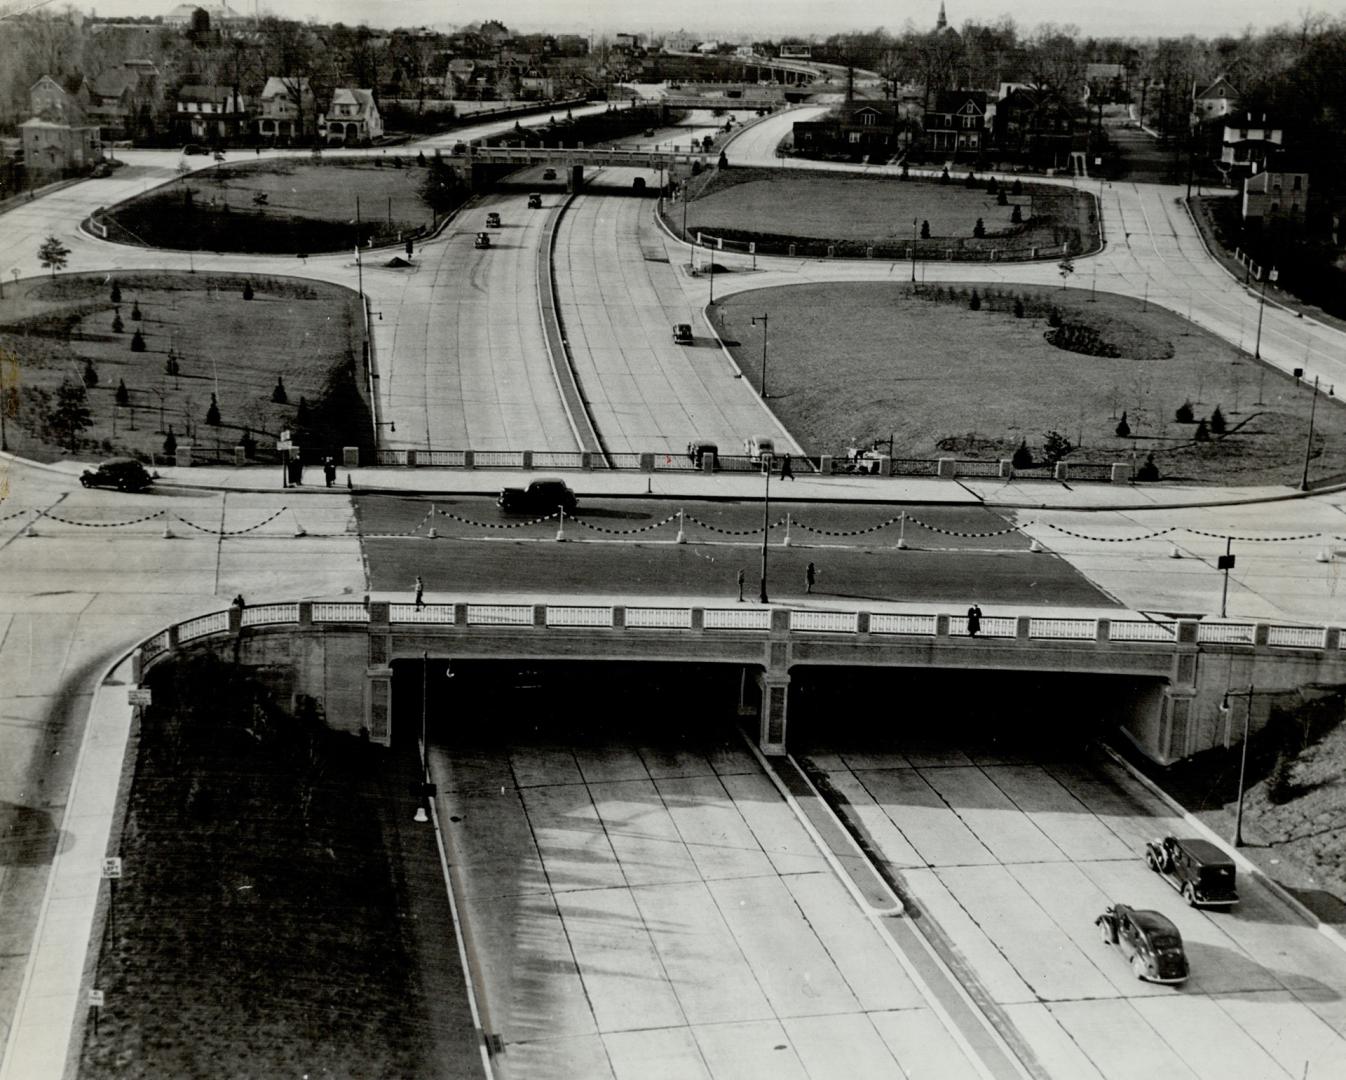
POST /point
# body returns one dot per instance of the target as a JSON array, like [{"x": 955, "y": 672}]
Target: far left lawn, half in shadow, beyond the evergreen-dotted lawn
[{"x": 308, "y": 207}]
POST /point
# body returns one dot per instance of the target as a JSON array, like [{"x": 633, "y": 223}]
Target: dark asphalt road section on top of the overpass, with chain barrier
[{"x": 621, "y": 555}]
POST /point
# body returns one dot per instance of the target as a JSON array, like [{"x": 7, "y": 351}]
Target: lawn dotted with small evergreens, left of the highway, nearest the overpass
[{"x": 302, "y": 332}]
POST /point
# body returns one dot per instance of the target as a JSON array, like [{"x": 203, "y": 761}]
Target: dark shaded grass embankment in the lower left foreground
[{"x": 262, "y": 927}]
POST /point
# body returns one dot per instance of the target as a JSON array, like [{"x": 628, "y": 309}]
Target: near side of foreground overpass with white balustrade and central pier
[{"x": 1165, "y": 681}]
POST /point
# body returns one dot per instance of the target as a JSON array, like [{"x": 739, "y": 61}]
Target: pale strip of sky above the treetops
[{"x": 772, "y": 18}]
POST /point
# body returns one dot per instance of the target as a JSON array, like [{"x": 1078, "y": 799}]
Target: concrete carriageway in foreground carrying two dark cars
[{"x": 1012, "y": 848}]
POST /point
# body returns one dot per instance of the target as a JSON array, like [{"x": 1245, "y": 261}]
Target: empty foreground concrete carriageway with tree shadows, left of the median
[{"x": 644, "y": 904}]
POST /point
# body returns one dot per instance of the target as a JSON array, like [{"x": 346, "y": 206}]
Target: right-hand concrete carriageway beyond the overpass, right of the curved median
[{"x": 620, "y": 296}]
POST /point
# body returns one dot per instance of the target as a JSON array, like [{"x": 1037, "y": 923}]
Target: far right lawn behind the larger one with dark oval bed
[{"x": 802, "y": 207}]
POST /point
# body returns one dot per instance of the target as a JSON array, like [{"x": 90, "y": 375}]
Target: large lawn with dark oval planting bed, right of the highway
[{"x": 851, "y": 364}]
